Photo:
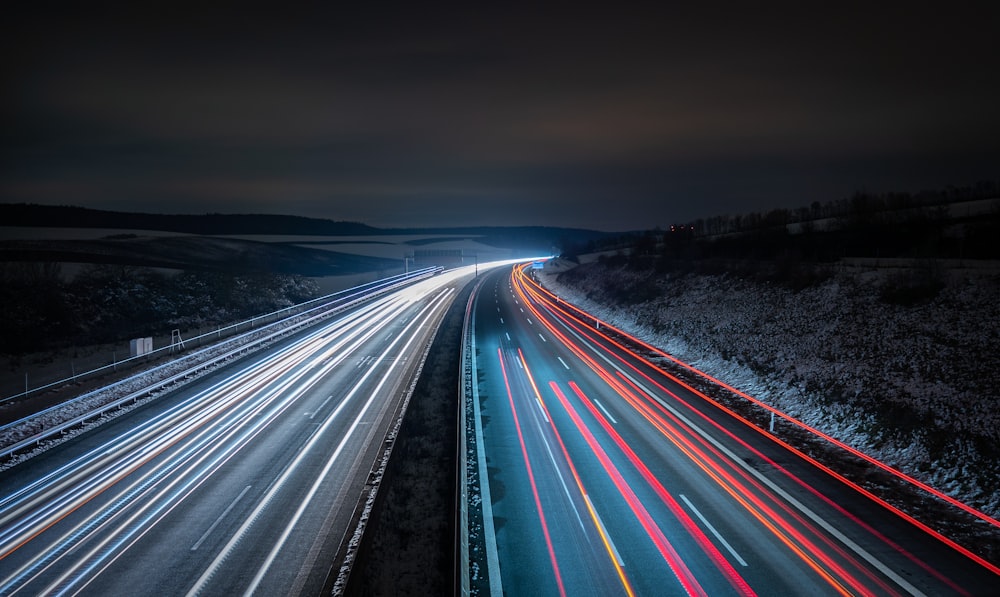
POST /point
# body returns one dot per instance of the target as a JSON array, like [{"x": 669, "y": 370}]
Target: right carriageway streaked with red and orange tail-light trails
[{"x": 608, "y": 476}]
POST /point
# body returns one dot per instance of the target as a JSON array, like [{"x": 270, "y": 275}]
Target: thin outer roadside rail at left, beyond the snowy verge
[{"x": 229, "y": 329}]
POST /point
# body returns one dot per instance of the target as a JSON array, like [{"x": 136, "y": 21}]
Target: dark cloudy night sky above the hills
[{"x": 608, "y": 118}]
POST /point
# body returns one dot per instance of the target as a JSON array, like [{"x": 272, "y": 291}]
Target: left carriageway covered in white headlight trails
[{"x": 242, "y": 482}]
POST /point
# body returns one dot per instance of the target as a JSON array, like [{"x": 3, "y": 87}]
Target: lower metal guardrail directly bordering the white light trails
[{"x": 203, "y": 359}]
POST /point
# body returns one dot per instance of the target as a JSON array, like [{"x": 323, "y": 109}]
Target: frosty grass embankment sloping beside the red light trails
[{"x": 914, "y": 386}]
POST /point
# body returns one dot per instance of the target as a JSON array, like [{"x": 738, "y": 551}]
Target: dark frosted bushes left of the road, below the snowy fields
[{"x": 109, "y": 303}]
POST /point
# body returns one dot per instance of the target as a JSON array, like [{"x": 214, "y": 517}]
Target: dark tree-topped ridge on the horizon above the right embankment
[{"x": 925, "y": 225}]
